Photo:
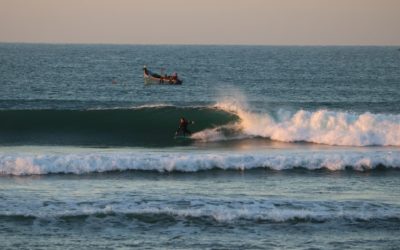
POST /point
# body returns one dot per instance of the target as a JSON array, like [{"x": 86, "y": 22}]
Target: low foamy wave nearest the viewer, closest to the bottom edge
[{"x": 223, "y": 212}]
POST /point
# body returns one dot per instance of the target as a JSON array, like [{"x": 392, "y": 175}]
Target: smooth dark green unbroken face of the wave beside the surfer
[{"x": 141, "y": 126}]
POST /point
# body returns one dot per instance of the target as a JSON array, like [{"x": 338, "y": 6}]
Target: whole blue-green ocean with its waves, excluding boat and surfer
[{"x": 293, "y": 147}]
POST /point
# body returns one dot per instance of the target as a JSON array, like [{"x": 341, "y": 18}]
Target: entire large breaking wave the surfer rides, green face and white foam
[{"x": 155, "y": 125}]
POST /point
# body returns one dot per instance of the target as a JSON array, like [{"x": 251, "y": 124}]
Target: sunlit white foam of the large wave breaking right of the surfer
[{"x": 322, "y": 126}]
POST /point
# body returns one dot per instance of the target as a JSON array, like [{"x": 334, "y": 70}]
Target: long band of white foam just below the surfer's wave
[{"x": 91, "y": 162}]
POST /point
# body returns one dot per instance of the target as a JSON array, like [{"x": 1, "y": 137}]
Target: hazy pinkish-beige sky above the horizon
[{"x": 270, "y": 22}]
